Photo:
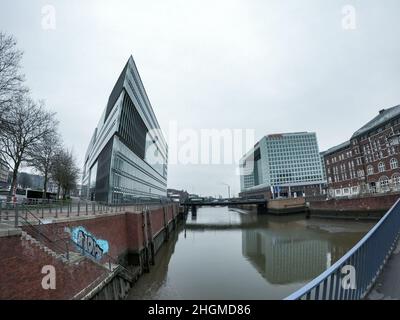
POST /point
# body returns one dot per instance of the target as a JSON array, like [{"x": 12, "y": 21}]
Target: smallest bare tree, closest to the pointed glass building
[{"x": 65, "y": 172}]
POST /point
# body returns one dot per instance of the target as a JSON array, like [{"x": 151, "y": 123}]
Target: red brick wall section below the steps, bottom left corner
[{"x": 21, "y": 264}]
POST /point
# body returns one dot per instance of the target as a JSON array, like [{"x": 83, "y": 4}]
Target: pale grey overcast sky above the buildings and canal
[{"x": 274, "y": 66}]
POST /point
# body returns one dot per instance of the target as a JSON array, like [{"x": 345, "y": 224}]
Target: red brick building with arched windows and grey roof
[{"x": 369, "y": 161}]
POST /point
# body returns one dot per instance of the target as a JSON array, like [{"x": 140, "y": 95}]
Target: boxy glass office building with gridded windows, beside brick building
[{"x": 286, "y": 162}]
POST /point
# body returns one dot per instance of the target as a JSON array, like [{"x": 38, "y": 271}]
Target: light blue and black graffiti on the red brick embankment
[{"x": 88, "y": 243}]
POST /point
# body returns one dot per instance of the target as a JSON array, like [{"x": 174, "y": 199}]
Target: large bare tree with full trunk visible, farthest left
[{"x": 30, "y": 123}]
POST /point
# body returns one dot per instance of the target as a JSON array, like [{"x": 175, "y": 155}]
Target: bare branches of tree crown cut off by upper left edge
[{"x": 11, "y": 80}]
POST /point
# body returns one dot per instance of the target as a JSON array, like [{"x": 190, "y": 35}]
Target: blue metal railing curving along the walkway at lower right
[{"x": 352, "y": 277}]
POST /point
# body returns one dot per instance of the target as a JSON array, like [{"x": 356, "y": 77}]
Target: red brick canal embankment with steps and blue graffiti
[{"x": 119, "y": 247}]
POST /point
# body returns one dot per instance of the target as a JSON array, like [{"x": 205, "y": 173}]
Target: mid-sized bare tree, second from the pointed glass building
[{"x": 42, "y": 156}]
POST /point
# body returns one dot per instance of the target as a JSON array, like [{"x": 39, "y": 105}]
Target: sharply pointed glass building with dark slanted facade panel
[{"x": 127, "y": 155}]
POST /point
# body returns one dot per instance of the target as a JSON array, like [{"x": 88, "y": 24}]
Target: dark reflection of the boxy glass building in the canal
[{"x": 294, "y": 256}]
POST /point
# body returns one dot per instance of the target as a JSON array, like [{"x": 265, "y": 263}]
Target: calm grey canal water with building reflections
[{"x": 224, "y": 253}]
